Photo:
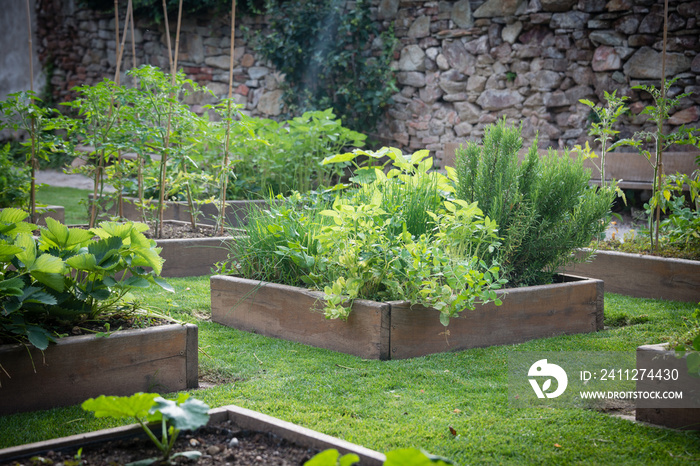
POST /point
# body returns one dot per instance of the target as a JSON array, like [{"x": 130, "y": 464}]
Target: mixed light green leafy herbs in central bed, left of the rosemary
[{"x": 392, "y": 236}]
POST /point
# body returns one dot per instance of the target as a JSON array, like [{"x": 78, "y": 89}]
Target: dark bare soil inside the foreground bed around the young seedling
[{"x": 220, "y": 444}]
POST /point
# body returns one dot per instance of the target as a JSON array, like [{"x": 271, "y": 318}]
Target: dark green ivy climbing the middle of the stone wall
[{"x": 324, "y": 48}]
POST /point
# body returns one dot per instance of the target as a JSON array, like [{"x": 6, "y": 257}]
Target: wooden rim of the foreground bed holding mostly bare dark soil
[{"x": 243, "y": 418}]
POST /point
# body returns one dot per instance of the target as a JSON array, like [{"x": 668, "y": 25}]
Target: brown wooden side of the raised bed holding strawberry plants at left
[{"x": 163, "y": 358}]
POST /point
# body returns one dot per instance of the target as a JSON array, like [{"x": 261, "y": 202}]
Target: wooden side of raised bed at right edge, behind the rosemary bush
[{"x": 643, "y": 276}]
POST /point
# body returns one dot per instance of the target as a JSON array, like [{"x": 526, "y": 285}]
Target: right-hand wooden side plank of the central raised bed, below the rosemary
[{"x": 527, "y": 313}]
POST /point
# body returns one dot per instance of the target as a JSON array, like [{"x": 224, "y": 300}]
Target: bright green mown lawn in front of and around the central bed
[{"x": 385, "y": 405}]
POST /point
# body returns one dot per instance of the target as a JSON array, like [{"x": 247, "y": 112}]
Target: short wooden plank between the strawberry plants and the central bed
[{"x": 192, "y": 257}]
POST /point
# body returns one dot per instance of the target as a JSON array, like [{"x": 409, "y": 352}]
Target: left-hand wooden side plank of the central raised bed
[{"x": 295, "y": 314}]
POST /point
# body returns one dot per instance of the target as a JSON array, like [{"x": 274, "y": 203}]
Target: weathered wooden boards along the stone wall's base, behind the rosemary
[{"x": 632, "y": 170}]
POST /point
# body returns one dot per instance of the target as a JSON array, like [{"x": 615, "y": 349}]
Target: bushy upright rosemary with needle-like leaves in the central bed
[{"x": 544, "y": 207}]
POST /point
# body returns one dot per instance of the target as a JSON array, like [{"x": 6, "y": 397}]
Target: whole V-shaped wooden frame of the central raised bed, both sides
[{"x": 393, "y": 330}]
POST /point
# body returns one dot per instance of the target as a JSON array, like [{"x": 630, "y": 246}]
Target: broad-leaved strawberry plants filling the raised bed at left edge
[{"x": 66, "y": 276}]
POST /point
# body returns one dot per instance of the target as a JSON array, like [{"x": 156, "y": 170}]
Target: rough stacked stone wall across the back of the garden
[{"x": 460, "y": 65}]
